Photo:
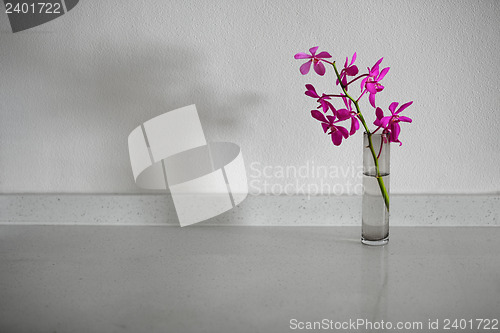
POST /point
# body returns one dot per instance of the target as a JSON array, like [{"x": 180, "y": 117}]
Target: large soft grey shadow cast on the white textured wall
[{"x": 106, "y": 89}]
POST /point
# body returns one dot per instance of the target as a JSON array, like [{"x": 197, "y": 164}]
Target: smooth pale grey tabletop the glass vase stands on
[{"x": 243, "y": 279}]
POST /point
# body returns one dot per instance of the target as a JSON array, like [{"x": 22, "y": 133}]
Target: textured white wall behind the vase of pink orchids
[{"x": 72, "y": 90}]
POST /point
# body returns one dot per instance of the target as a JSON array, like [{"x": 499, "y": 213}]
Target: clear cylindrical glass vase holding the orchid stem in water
[{"x": 376, "y": 163}]
